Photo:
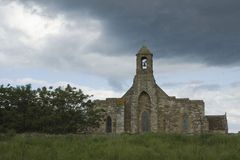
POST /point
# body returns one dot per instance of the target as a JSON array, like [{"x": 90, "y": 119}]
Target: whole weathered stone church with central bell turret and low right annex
[{"x": 145, "y": 107}]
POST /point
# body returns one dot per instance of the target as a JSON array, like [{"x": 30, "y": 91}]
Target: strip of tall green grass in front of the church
[{"x": 119, "y": 147}]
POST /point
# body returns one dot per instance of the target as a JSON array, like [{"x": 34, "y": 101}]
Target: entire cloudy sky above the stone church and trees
[{"x": 92, "y": 45}]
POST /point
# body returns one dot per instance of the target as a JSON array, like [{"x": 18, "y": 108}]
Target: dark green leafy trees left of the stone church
[{"x": 47, "y": 110}]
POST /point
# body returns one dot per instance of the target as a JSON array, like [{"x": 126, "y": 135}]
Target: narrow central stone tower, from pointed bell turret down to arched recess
[{"x": 144, "y": 90}]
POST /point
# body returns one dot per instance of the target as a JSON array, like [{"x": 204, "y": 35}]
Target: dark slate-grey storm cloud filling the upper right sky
[{"x": 207, "y": 31}]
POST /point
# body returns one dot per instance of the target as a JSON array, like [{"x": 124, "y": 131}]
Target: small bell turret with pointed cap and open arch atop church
[{"x": 144, "y": 62}]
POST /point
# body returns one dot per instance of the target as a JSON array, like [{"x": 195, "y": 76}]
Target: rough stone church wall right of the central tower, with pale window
[{"x": 174, "y": 112}]
